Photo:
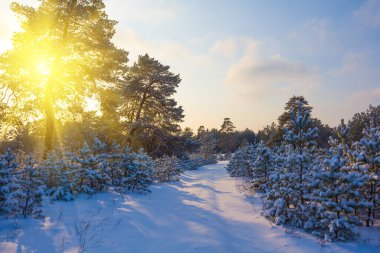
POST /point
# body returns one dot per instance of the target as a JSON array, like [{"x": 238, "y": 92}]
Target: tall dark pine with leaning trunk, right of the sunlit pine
[{"x": 152, "y": 115}]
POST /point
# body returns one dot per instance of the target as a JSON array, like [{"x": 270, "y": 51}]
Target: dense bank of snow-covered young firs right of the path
[{"x": 326, "y": 191}]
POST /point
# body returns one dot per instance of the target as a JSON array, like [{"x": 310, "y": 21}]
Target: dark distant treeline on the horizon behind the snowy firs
[{"x": 227, "y": 139}]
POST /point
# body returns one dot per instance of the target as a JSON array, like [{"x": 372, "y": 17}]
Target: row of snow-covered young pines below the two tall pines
[{"x": 91, "y": 169}]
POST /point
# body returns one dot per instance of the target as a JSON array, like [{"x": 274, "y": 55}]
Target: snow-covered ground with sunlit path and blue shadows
[{"x": 204, "y": 212}]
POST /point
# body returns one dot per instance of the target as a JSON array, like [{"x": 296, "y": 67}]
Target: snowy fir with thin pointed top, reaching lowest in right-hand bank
[{"x": 336, "y": 189}]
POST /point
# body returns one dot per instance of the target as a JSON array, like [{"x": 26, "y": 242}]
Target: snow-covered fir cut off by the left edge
[{"x": 9, "y": 187}]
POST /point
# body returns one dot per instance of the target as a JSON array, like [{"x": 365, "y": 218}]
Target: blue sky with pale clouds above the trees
[{"x": 244, "y": 59}]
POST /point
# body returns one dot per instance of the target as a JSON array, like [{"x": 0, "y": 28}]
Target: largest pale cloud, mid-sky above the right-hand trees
[{"x": 266, "y": 77}]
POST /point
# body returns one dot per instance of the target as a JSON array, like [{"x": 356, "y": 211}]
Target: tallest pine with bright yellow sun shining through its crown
[{"x": 62, "y": 55}]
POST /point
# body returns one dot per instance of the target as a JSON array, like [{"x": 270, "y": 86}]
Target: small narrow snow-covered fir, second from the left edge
[{"x": 31, "y": 189}]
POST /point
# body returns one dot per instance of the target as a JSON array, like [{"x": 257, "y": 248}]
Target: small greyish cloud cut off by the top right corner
[{"x": 369, "y": 13}]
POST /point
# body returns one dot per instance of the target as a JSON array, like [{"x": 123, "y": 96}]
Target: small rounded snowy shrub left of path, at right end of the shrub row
[{"x": 167, "y": 168}]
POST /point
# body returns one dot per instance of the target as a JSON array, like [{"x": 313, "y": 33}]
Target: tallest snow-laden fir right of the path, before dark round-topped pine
[{"x": 286, "y": 198}]
